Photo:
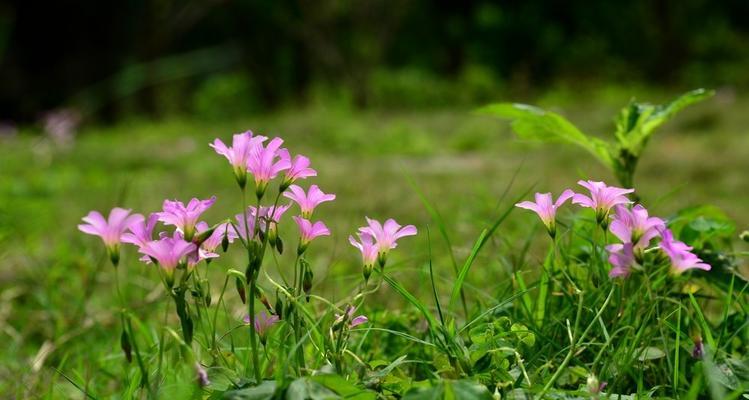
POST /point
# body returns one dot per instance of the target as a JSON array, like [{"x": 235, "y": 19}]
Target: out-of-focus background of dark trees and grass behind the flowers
[{"x": 114, "y": 103}]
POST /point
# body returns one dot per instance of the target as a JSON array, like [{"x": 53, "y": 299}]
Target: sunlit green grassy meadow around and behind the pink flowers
[{"x": 452, "y": 173}]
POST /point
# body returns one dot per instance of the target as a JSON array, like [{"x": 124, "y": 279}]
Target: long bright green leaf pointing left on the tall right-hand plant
[{"x": 530, "y": 122}]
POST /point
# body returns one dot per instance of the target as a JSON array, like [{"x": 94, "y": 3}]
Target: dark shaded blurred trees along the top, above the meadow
[{"x": 221, "y": 58}]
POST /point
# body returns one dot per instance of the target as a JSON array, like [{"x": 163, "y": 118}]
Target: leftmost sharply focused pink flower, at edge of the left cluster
[{"x": 110, "y": 230}]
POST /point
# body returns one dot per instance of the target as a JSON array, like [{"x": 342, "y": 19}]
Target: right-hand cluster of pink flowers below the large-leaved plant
[{"x": 632, "y": 225}]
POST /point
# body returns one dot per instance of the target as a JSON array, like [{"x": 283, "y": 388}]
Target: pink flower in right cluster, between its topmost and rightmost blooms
[{"x": 635, "y": 226}]
